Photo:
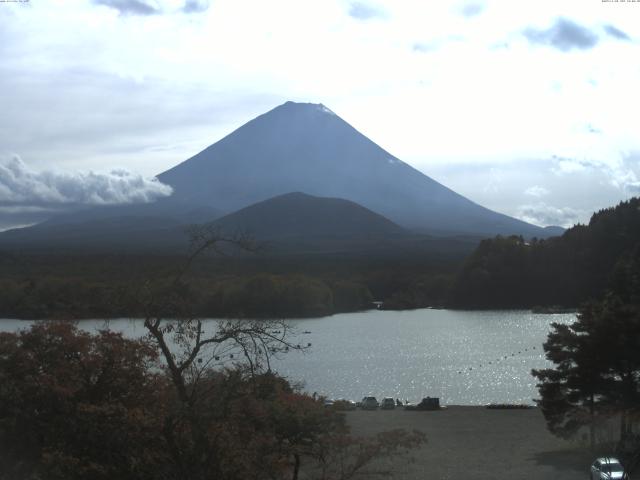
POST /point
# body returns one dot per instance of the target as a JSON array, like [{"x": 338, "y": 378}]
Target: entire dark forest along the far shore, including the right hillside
[{"x": 503, "y": 272}]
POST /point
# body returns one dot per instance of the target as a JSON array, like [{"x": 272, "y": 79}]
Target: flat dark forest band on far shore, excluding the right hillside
[{"x": 67, "y": 286}]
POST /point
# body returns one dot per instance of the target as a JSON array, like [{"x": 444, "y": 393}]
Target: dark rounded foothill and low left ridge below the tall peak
[{"x": 294, "y": 222}]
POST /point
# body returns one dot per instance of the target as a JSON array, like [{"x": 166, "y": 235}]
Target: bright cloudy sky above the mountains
[{"x": 527, "y": 107}]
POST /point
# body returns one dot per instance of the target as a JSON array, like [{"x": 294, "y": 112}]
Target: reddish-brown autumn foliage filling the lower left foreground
[{"x": 75, "y": 405}]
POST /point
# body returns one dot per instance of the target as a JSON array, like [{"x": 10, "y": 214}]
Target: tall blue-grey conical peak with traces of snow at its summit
[{"x": 304, "y": 147}]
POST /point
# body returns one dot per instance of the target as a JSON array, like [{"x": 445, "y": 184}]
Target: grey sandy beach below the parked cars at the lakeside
[{"x": 474, "y": 443}]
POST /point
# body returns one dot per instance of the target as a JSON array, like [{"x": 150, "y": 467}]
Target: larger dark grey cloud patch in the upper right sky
[{"x": 564, "y": 35}]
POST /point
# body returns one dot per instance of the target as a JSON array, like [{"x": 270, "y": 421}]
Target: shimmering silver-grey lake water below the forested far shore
[{"x": 463, "y": 357}]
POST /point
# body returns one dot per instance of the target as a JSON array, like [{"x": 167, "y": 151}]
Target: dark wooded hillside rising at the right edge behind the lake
[{"x": 509, "y": 272}]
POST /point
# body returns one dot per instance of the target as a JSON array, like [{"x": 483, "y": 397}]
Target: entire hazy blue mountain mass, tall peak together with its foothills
[{"x": 296, "y": 147}]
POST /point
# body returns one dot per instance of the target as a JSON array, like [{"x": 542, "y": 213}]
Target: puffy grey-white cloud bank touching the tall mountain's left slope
[{"x": 21, "y": 186}]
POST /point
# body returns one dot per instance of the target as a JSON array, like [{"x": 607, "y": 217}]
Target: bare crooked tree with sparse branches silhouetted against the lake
[{"x": 191, "y": 347}]
